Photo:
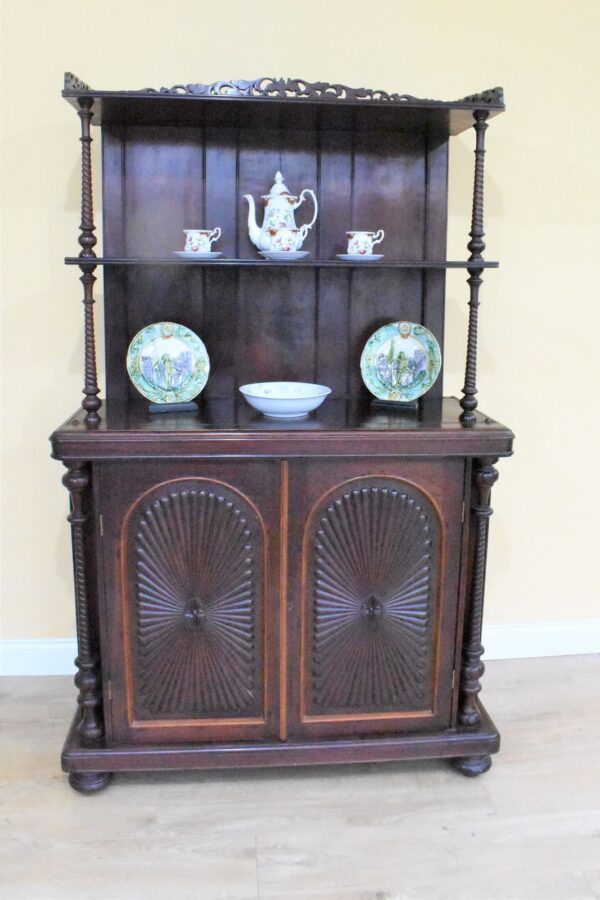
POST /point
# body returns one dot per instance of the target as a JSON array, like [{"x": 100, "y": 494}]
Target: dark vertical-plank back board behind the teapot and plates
[{"x": 271, "y": 323}]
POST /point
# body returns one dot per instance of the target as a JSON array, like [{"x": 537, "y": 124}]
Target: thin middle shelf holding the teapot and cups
[{"x": 297, "y": 264}]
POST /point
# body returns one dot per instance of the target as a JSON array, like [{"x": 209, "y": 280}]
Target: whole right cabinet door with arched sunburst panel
[{"x": 374, "y": 560}]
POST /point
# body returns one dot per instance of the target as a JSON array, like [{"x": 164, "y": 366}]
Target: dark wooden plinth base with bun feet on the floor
[{"x": 468, "y": 749}]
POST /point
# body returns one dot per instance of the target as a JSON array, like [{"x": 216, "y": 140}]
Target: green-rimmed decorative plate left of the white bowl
[{"x": 168, "y": 363}]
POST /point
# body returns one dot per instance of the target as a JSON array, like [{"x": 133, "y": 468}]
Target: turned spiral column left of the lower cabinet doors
[{"x": 87, "y": 680}]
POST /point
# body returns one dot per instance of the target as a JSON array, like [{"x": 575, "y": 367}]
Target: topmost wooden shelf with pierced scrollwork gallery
[{"x": 279, "y": 102}]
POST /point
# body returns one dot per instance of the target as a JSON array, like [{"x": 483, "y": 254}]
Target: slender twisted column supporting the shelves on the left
[{"x": 87, "y": 240}]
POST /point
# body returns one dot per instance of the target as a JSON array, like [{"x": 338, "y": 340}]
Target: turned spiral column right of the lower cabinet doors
[{"x": 485, "y": 476}]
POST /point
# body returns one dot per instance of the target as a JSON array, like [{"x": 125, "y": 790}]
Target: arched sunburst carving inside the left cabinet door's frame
[{"x": 195, "y": 579}]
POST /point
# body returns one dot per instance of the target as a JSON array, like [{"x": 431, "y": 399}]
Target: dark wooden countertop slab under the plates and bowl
[{"x": 339, "y": 428}]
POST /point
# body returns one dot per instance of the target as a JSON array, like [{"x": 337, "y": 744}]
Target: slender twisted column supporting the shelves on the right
[{"x": 476, "y": 246}]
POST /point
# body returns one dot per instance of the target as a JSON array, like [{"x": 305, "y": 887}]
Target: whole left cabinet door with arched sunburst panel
[{"x": 191, "y": 618}]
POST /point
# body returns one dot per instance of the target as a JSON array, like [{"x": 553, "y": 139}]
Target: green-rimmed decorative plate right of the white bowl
[{"x": 400, "y": 361}]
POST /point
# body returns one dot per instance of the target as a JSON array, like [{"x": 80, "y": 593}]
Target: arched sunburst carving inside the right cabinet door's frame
[{"x": 373, "y": 582}]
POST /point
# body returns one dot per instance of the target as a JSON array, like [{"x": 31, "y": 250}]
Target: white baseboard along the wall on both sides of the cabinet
[{"x": 515, "y": 641}]
